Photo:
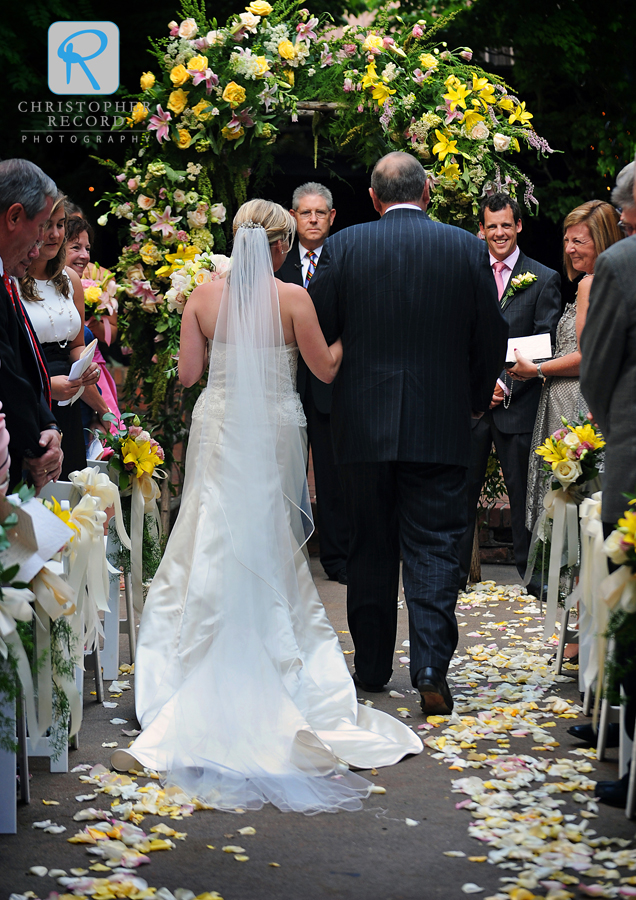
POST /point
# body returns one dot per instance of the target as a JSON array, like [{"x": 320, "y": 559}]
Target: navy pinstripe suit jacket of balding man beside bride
[{"x": 424, "y": 340}]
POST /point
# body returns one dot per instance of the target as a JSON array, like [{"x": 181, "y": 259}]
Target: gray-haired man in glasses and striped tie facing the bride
[{"x": 312, "y": 207}]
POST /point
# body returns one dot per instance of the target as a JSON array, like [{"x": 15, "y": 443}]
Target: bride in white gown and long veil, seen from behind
[{"x": 242, "y": 691}]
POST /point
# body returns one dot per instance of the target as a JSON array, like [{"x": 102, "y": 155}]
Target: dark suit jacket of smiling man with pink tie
[{"x": 534, "y": 310}]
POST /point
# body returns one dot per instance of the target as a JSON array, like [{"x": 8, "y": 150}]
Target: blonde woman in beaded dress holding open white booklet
[{"x": 587, "y": 231}]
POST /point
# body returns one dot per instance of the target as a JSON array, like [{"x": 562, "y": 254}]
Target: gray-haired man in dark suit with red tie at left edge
[{"x": 26, "y": 198}]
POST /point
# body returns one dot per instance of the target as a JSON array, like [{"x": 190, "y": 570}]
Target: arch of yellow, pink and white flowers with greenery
[{"x": 210, "y": 111}]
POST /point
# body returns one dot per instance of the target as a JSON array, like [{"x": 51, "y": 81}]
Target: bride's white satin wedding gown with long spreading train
[{"x": 242, "y": 691}]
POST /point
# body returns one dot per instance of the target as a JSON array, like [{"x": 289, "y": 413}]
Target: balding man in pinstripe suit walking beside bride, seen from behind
[{"x": 415, "y": 304}]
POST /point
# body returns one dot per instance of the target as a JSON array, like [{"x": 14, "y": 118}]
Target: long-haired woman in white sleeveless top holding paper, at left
[{"x": 54, "y": 301}]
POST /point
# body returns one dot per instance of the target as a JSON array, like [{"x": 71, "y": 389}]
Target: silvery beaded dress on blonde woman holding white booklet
[{"x": 560, "y": 397}]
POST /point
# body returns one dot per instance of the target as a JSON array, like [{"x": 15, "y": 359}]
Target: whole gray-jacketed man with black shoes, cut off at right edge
[{"x": 608, "y": 383}]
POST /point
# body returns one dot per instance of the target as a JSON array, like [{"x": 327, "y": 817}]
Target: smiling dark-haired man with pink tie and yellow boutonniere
[{"x": 513, "y": 409}]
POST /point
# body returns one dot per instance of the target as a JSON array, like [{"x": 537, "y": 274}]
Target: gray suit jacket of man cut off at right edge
[{"x": 608, "y": 369}]
